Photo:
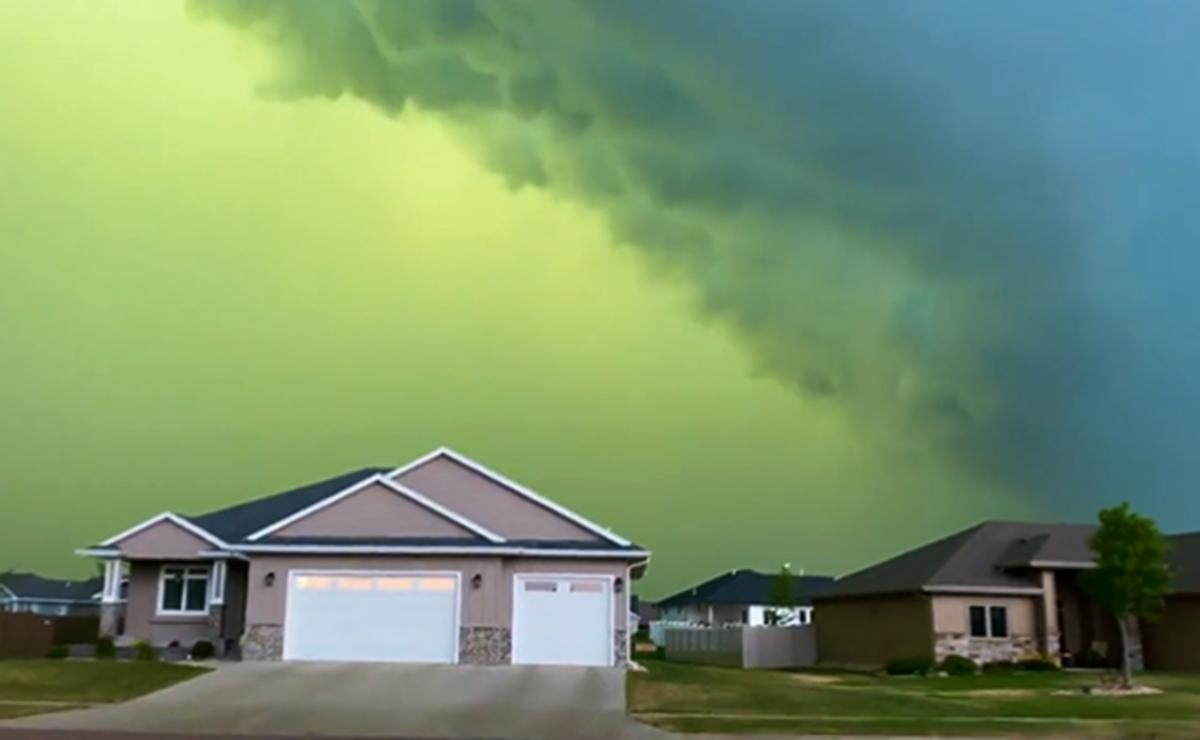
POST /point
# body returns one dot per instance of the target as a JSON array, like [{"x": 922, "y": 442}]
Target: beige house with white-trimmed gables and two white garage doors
[{"x": 441, "y": 561}]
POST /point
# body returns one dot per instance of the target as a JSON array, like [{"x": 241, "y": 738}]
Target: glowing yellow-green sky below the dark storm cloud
[{"x": 207, "y": 297}]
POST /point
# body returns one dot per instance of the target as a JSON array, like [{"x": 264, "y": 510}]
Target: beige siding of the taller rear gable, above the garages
[{"x": 506, "y": 513}]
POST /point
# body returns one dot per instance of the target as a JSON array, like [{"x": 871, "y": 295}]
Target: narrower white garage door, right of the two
[{"x": 562, "y": 621}]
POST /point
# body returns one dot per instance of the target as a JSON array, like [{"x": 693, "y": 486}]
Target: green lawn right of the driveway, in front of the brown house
[{"x": 694, "y": 699}]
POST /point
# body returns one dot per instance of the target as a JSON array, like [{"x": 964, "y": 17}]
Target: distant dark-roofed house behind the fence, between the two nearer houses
[{"x": 741, "y": 598}]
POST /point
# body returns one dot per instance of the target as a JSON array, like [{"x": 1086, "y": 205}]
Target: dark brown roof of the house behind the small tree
[{"x": 999, "y": 557}]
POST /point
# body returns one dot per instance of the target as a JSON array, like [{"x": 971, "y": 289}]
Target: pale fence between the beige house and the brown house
[{"x": 741, "y": 647}]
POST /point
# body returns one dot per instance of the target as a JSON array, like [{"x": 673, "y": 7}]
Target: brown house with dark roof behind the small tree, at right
[{"x": 999, "y": 591}]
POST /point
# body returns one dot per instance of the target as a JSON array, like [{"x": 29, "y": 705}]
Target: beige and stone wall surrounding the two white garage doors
[{"x": 487, "y": 618}]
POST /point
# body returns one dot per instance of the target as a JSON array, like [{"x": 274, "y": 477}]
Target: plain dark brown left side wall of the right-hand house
[{"x": 873, "y": 630}]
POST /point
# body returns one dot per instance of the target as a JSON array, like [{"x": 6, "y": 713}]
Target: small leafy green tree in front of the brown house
[{"x": 1132, "y": 577}]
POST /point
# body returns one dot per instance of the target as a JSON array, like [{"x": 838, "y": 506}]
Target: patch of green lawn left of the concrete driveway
[{"x": 86, "y": 682}]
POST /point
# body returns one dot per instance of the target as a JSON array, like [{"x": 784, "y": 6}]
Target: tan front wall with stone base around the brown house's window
[{"x": 953, "y": 635}]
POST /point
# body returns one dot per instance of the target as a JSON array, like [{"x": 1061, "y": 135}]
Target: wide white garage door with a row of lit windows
[{"x": 407, "y": 618}]
